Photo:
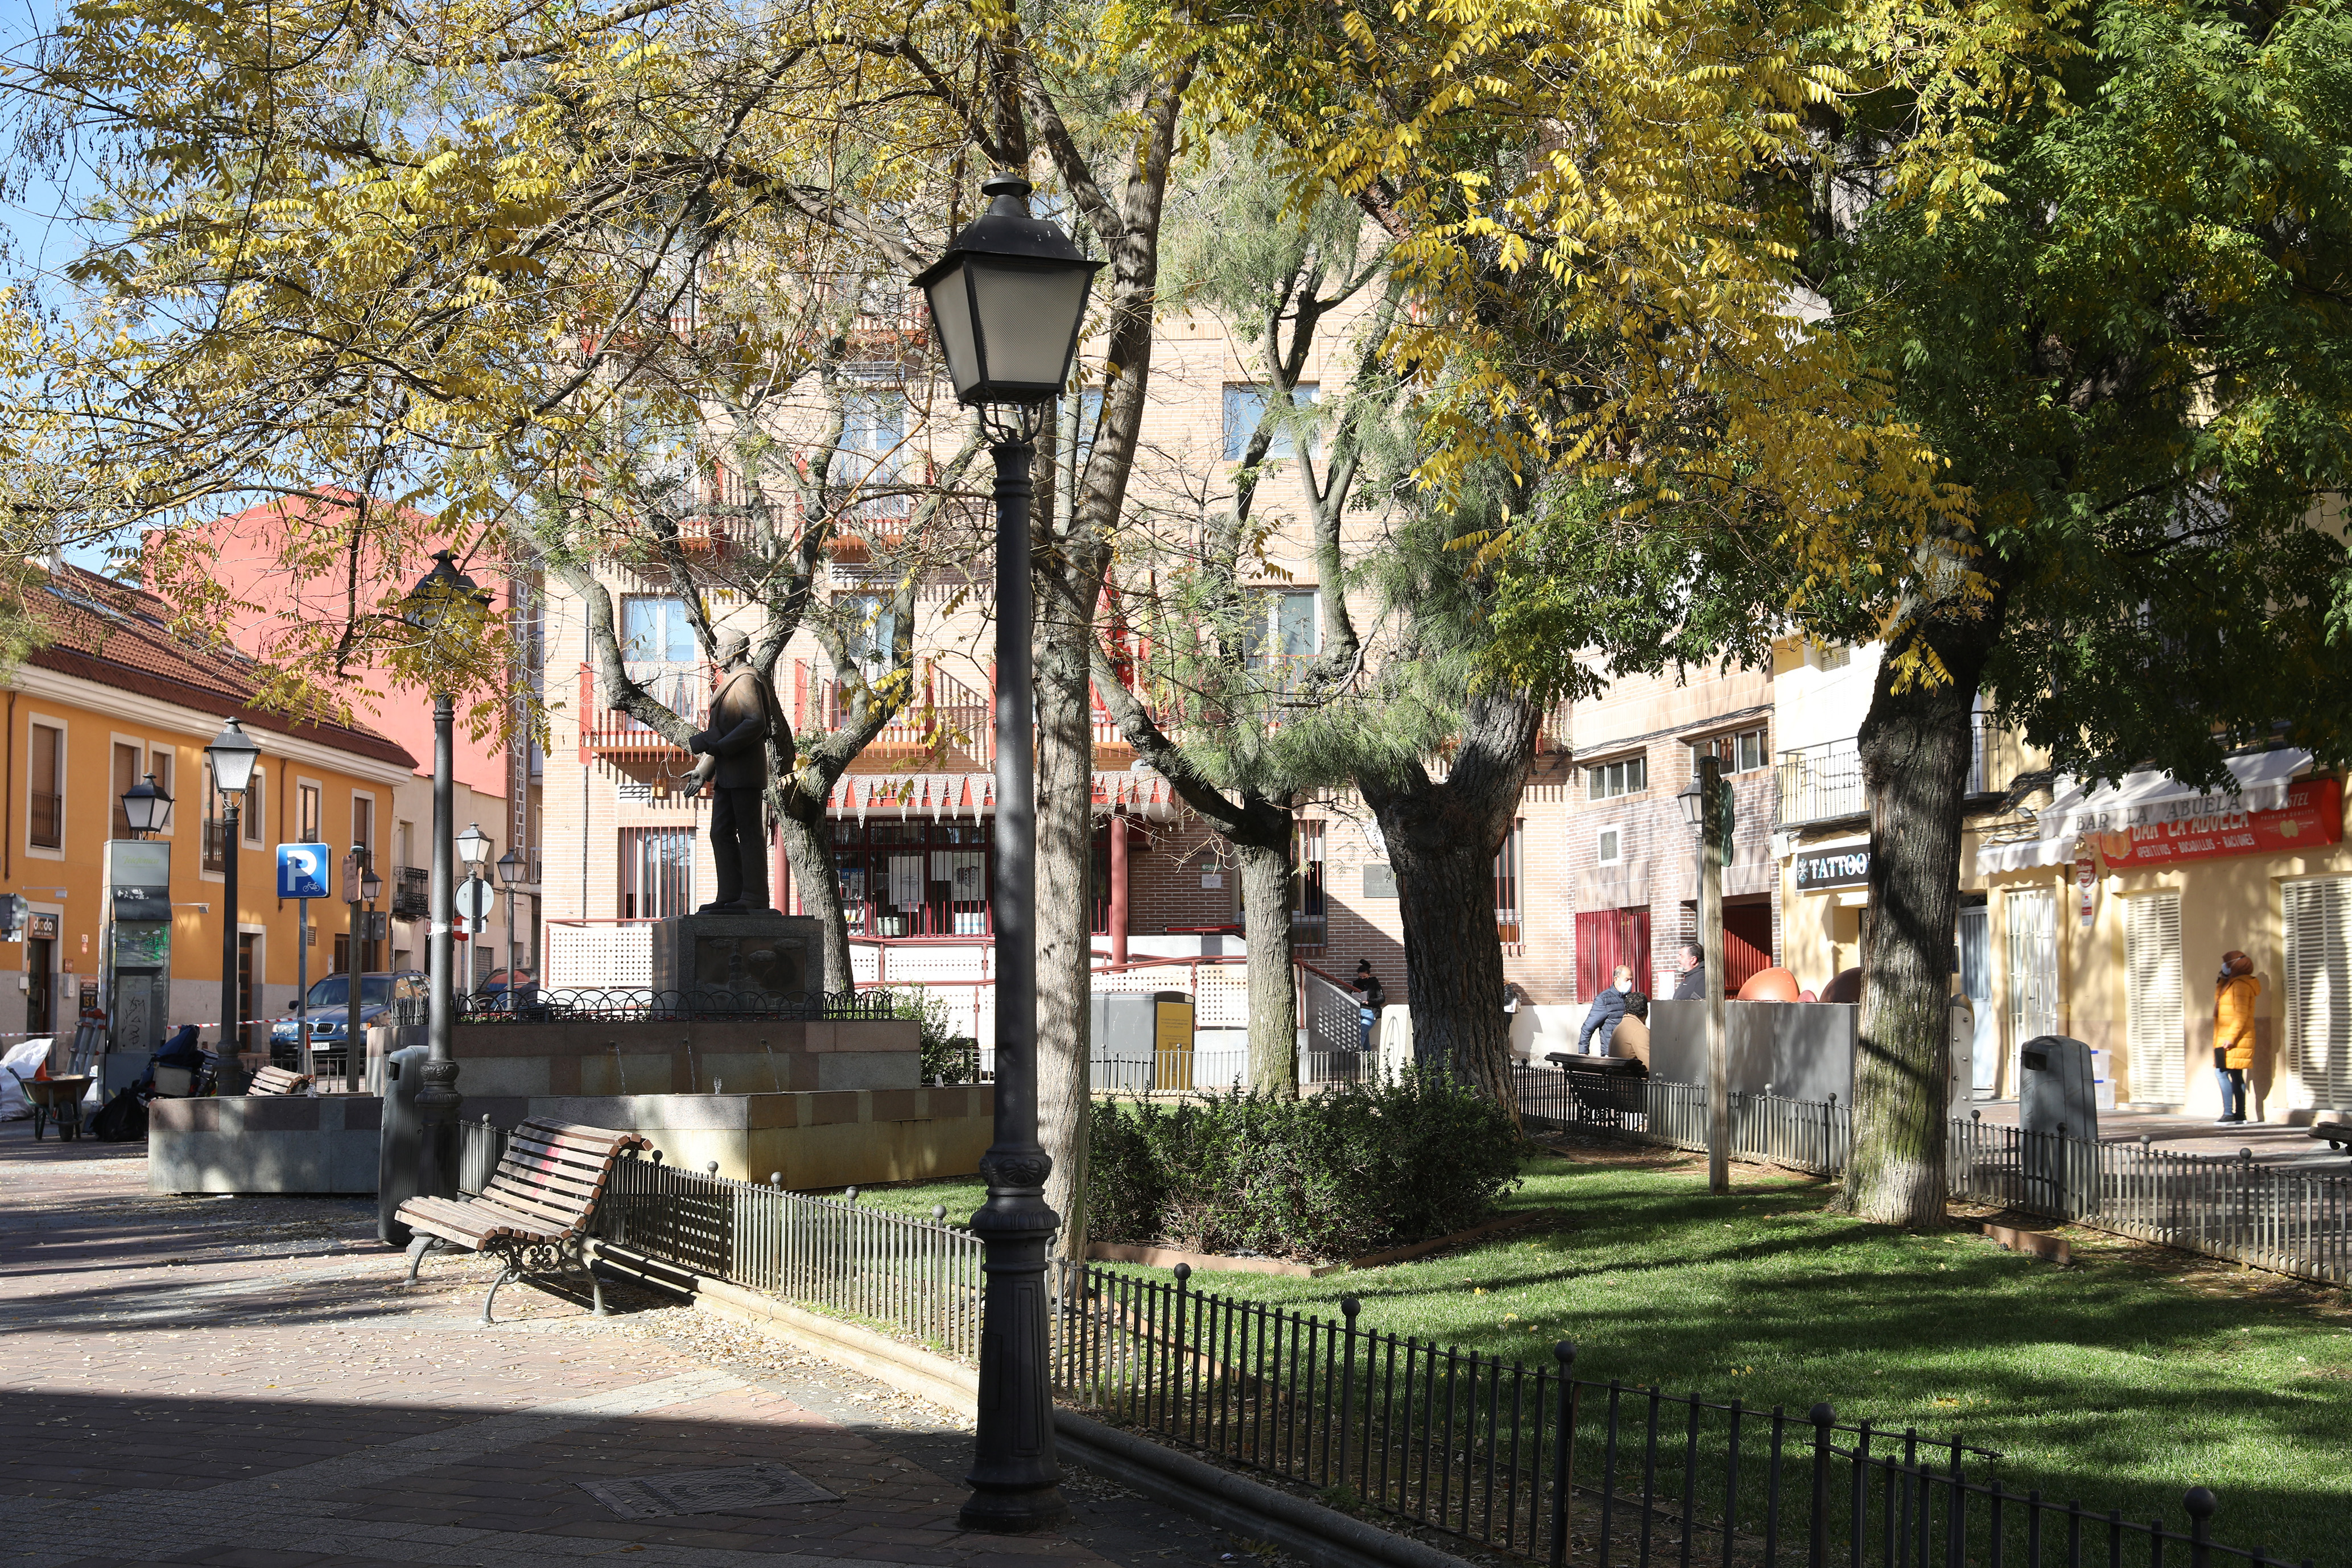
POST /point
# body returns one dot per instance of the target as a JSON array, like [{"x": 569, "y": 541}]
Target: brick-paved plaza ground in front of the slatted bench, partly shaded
[{"x": 248, "y": 1383}]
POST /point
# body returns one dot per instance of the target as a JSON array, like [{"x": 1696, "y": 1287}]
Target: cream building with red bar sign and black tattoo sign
[{"x": 2094, "y": 909}]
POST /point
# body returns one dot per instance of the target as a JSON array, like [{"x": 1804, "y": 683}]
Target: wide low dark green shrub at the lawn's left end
[{"x": 1328, "y": 1177}]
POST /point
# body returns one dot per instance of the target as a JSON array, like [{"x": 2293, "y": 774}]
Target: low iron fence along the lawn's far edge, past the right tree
[{"x": 2226, "y": 1207}]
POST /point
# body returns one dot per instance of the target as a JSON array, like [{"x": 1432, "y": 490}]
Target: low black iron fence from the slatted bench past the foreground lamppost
[{"x": 1530, "y": 1461}]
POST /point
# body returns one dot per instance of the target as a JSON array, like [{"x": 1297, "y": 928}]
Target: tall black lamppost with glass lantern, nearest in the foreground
[{"x": 1008, "y": 302}]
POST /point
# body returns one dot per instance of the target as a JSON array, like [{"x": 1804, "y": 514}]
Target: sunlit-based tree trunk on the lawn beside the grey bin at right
[{"x": 1916, "y": 753}]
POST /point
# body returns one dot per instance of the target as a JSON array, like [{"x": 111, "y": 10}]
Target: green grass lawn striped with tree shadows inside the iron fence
[{"x": 2120, "y": 1381}]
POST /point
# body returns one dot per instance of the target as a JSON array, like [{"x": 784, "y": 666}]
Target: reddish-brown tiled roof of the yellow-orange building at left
[{"x": 119, "y": 636}]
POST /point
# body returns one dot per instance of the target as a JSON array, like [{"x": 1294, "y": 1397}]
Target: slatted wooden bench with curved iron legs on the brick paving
[{"x": 537, "y": 1209}]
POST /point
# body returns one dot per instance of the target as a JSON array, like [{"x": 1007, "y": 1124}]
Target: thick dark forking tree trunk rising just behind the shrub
[{"x": 1443, "y": 840}]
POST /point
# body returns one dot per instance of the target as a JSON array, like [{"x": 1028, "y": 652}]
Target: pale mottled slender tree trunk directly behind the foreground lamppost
[{"x": 1064, "y": 904}]
